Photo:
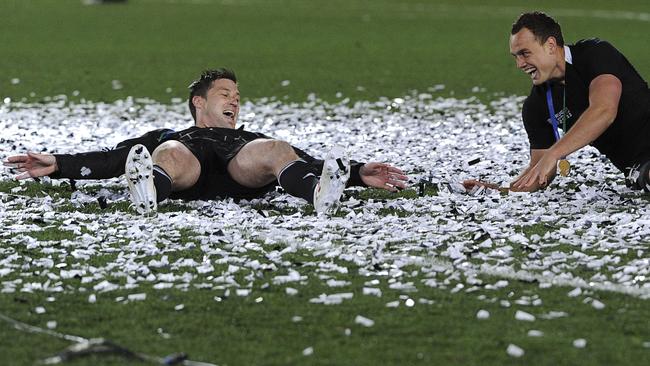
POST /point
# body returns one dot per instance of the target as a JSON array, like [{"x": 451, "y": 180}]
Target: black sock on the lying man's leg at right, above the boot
[{"x": 299, "y": 179}]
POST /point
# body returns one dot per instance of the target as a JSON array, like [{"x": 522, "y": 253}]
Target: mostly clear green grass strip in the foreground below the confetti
[{"x": 239, "y": 330}]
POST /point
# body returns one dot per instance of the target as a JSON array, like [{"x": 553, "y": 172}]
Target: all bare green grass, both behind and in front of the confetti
[{"x": 325, "y": 47}]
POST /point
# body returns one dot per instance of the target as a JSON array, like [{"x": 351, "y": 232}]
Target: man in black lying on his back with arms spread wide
[{"x": 213, "y": 160}]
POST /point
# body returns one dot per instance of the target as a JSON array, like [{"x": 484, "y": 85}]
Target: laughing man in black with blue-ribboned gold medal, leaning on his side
[{"x": 590, "y": 91}]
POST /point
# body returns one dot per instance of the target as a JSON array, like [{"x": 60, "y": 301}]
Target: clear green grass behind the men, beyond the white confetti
[{"x": 323, "y": 47}]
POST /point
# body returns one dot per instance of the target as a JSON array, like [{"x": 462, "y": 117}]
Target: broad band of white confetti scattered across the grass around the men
[{"x": 594, "y": 220}]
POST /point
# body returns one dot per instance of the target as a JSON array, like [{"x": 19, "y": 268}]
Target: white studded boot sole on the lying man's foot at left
[{"x": 139, "y": 175}]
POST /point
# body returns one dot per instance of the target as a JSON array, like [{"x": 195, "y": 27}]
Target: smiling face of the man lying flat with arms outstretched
[{"x": 220, "y": 107}]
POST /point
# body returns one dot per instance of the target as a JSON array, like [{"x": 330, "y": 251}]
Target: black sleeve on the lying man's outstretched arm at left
[{"x": 104, "y": 164}]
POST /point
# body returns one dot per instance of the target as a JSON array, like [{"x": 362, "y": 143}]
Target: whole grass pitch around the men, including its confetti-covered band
[{"x": 249, "y": 276}]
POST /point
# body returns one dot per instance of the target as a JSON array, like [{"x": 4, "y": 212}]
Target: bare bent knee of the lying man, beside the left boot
[{"x": 179, "y": 163}]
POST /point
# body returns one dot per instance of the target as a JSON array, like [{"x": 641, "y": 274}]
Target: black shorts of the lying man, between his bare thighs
[{"x": 214, "y": 148}]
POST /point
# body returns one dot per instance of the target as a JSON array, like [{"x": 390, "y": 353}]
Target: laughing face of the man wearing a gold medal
[{"x": 541, "y": 61}]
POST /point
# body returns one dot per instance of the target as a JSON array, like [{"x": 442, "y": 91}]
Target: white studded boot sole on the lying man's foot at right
[{"x": 335, "y": 175}]
